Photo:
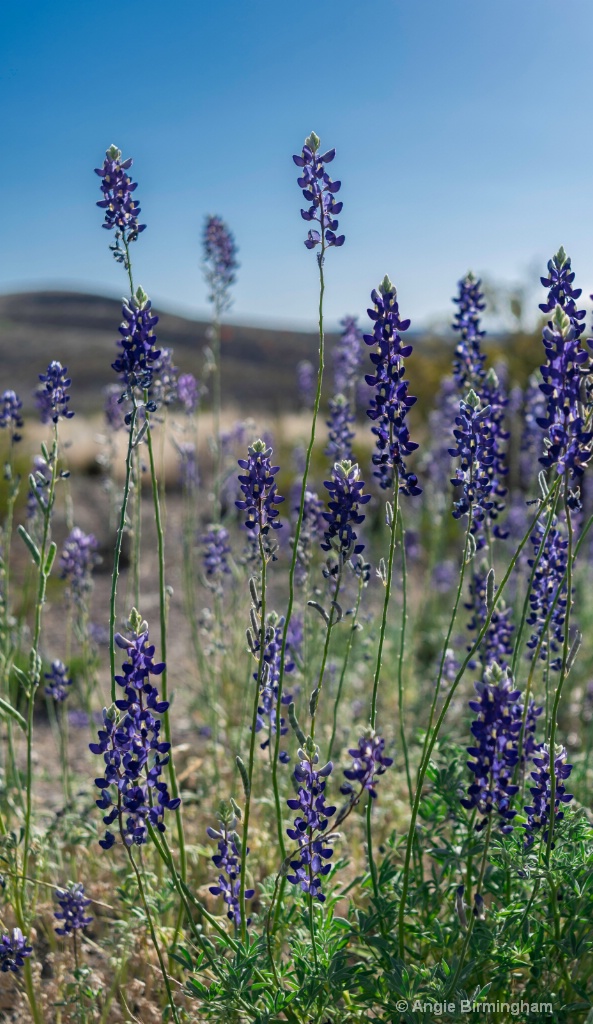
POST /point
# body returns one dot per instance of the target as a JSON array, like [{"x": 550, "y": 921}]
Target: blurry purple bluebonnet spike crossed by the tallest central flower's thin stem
[{"x": 268, "y": 708}]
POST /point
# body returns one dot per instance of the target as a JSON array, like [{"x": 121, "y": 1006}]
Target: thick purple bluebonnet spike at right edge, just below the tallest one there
[{"x": 568, "y": 446}]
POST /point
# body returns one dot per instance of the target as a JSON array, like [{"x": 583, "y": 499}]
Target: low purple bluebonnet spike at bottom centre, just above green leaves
[{"x": 311, "y": 823}]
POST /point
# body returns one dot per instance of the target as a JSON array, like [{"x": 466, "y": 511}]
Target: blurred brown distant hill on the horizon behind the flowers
[{"x": 259, "y": 364}]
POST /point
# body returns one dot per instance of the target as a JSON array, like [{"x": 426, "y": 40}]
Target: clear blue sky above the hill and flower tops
[{"x": 462, "y": 129}]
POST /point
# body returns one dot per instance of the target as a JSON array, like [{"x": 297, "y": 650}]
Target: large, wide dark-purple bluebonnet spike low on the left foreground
[{"x": 132, "y": 748}]
